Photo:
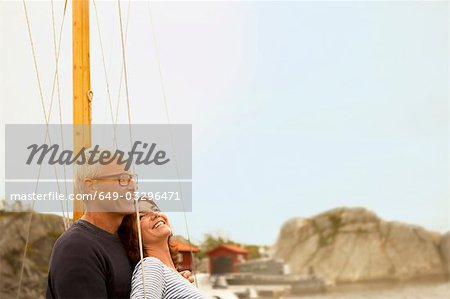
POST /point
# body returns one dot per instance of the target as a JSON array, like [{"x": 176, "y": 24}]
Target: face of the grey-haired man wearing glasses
[{"x": 114, "y": 188}]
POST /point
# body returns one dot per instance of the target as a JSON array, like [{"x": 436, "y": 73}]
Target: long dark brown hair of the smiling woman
[{"x": 128, "y": 233}]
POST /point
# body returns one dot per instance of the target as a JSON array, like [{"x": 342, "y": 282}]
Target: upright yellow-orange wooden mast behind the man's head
[{"x": 82, "y": 94}]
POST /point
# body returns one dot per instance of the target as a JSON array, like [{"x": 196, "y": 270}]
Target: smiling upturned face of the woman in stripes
[{"x": 154, "y": 227}]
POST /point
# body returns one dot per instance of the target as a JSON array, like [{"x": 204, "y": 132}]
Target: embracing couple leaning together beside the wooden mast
[{"x": 98, "y": 256}]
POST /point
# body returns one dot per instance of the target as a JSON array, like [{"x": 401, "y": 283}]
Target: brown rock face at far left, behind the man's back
[{"x": 45, "y": 229}]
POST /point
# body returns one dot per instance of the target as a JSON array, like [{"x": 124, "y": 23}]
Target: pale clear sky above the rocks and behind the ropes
[{"x": 296, "y": 107}]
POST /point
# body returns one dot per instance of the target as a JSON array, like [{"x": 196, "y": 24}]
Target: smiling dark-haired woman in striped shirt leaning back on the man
[{"x": 160, "y": 275}]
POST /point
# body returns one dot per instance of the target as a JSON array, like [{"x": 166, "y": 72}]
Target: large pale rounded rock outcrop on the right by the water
[{"x": 350, "y": 245}]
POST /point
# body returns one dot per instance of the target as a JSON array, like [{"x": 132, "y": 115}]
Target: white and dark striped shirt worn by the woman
[{"x": 161, "y": 282}]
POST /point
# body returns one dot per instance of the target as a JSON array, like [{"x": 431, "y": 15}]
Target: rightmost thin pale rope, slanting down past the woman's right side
[{"x": 163, "y": 91}]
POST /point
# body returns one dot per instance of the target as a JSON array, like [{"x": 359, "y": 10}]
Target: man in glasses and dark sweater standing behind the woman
[{"x": 88, "y": 260}]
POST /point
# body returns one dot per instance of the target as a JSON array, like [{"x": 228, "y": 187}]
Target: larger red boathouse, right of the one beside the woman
[{"x": 226, "y": 258}]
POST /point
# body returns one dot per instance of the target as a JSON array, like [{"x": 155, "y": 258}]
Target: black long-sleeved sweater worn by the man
[{"x": 88, "y": 262}]
